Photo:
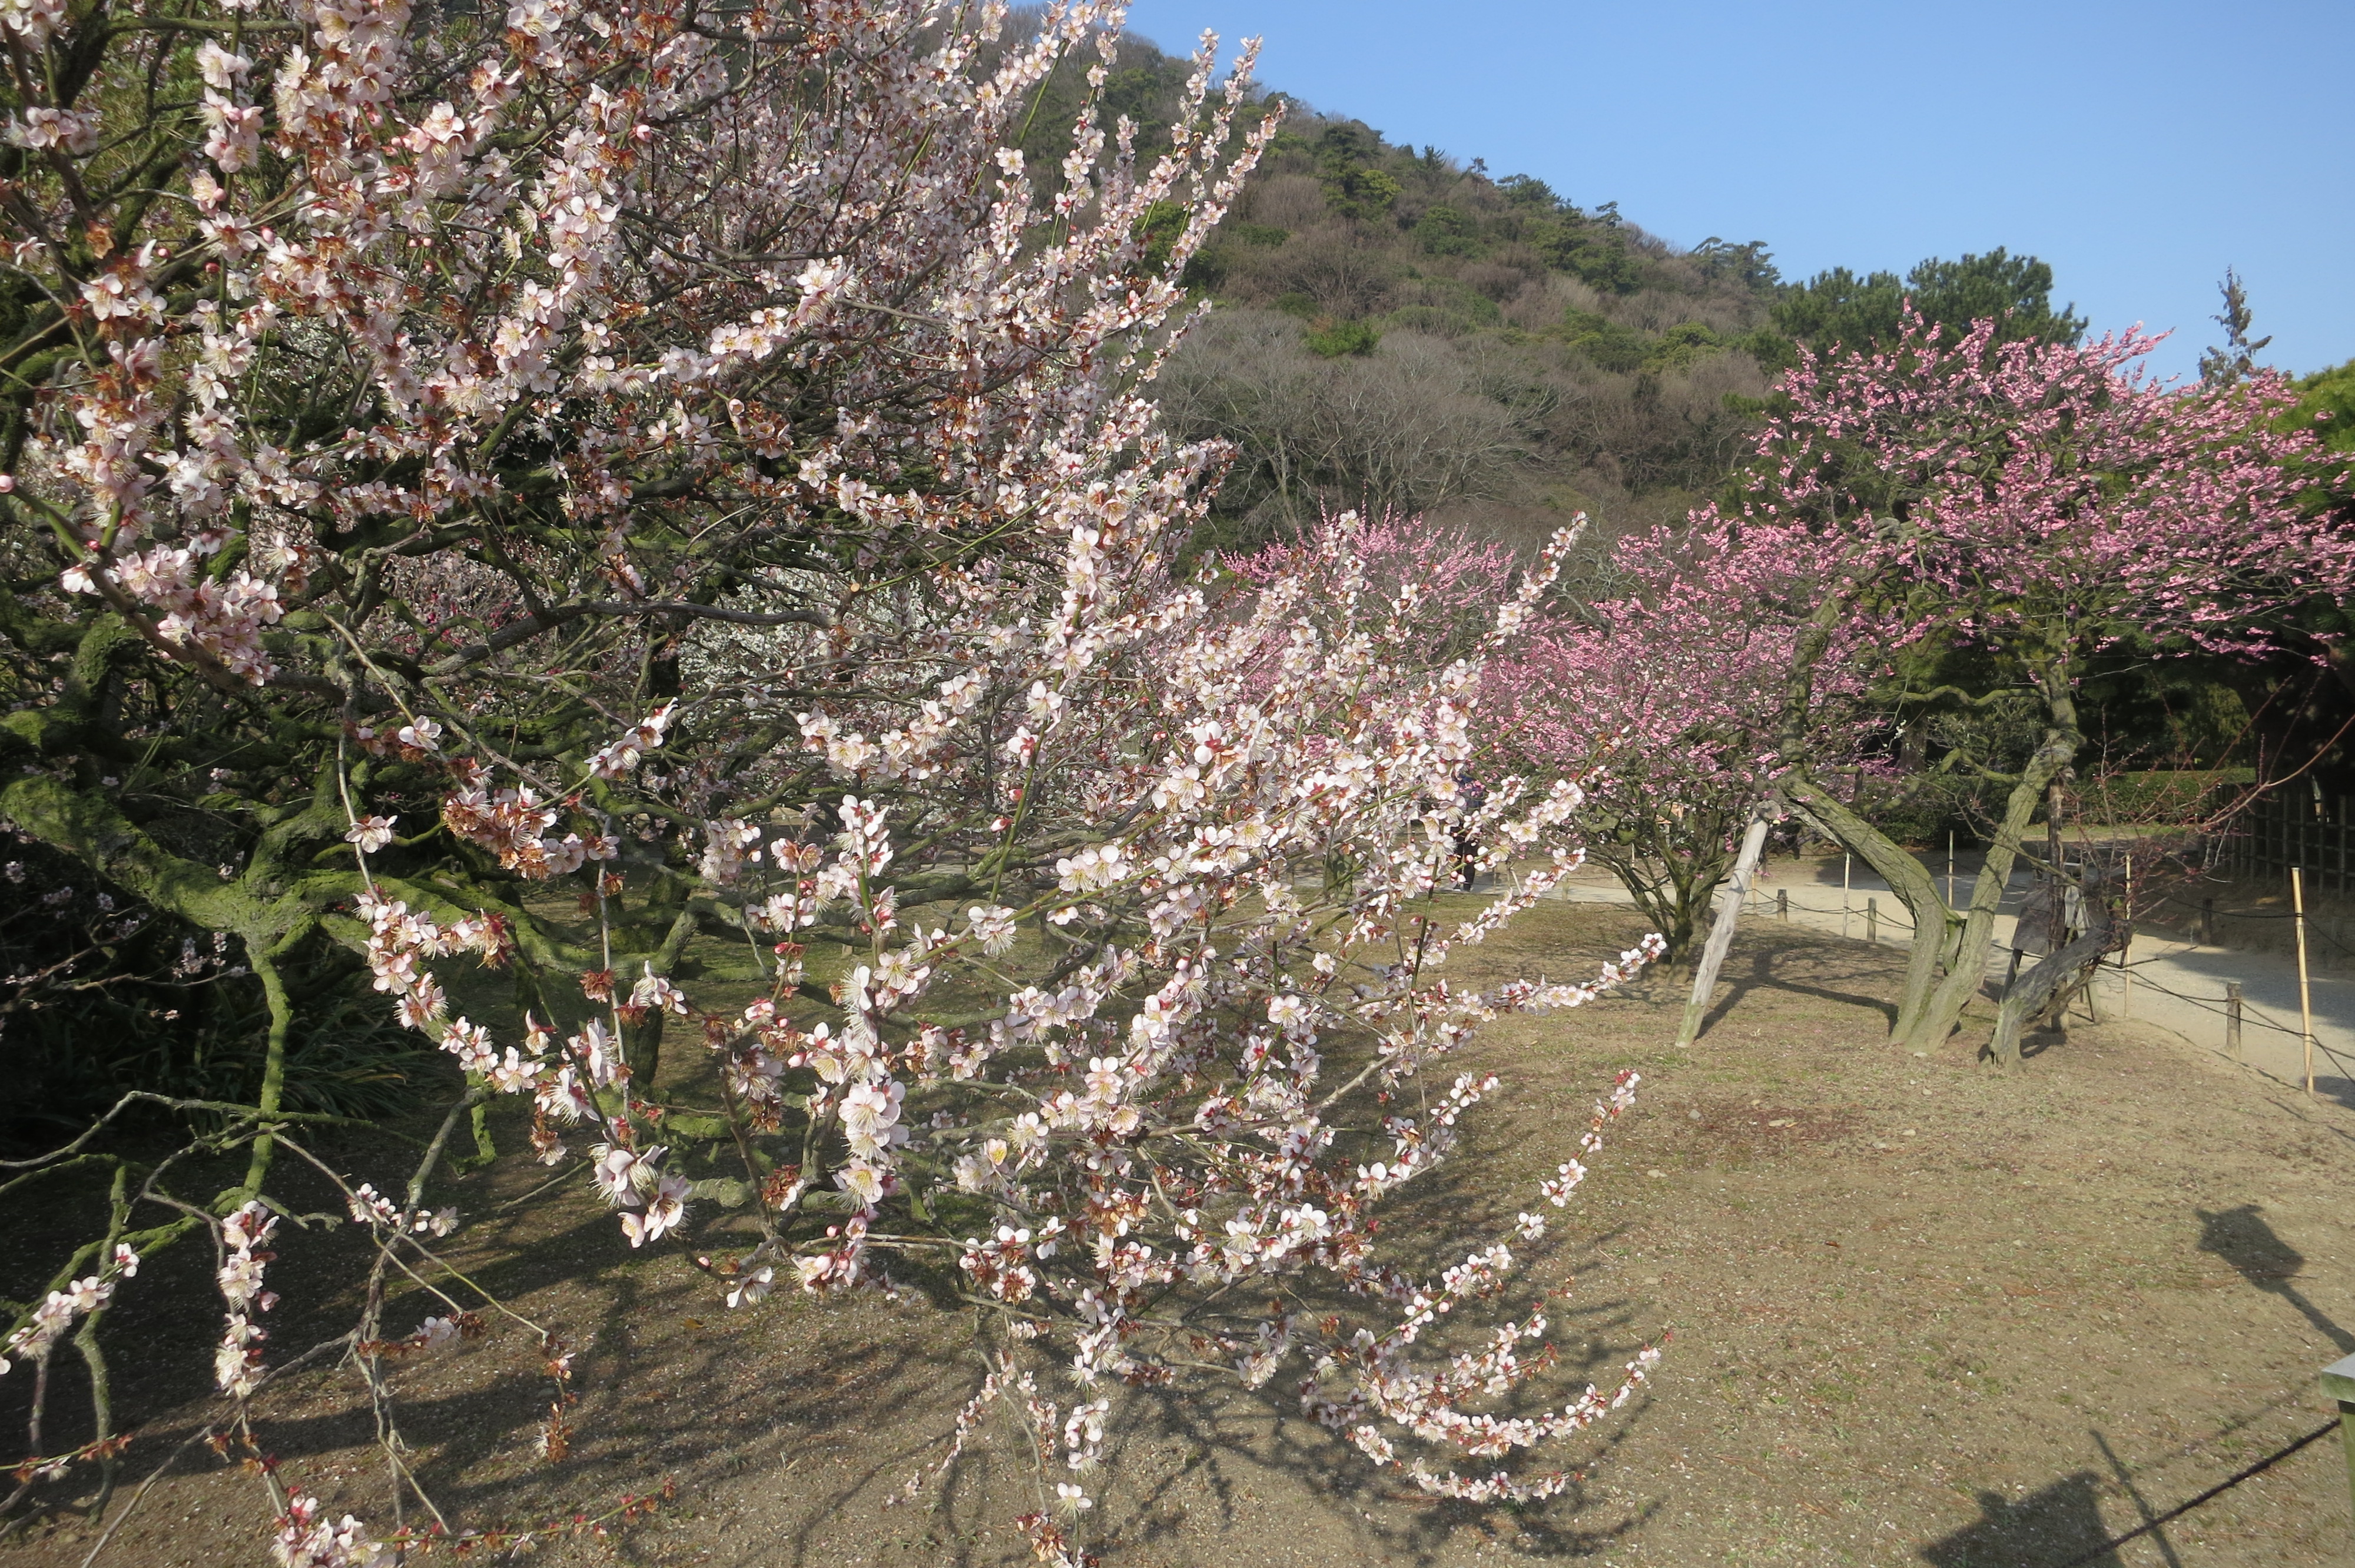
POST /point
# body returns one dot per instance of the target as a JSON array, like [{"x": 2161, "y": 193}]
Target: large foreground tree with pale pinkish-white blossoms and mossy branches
[{"x": 663, "y": 500}]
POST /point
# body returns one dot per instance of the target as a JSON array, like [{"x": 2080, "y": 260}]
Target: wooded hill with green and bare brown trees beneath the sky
[{"x": 1400, "y": 328}]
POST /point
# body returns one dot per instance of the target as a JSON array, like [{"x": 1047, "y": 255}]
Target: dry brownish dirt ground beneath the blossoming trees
[{"x": 1923, "y": 1313}]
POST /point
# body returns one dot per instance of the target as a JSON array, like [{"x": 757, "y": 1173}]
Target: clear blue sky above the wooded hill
[{"x": 2140, "y": 150}]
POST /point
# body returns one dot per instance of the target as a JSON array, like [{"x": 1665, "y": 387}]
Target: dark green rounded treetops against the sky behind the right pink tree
[{"x": 1838, "y": 307}]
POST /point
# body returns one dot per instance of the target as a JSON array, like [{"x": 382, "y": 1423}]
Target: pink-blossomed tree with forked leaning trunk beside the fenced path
[{"x": 2031, "y": 505}]
